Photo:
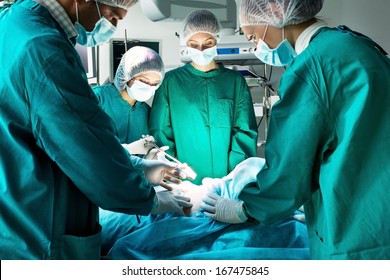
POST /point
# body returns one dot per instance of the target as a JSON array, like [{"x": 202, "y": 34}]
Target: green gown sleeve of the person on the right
[{"x": 295, "y": 145}]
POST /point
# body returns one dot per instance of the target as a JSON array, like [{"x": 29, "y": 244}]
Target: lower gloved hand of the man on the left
[{"x": 169, "y": 203}]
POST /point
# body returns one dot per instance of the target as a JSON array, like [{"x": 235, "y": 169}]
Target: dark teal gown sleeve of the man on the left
[{"x": 76, "y": 134}]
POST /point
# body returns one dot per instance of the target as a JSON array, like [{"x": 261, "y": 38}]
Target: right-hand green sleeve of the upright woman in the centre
[{"x": 244, "y": 130}]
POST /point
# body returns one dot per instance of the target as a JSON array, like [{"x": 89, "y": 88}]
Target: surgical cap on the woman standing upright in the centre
[{"x": 200, "y": 21}]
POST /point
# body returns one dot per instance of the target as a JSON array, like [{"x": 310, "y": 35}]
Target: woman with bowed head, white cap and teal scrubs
[{"x": 139, "y": 74}]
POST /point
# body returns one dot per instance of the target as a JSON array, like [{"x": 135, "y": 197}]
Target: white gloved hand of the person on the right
[{"x": 225, "y": 210}]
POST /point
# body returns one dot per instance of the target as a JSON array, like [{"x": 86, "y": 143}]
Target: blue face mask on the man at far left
[{"x": 101, "y": 33}]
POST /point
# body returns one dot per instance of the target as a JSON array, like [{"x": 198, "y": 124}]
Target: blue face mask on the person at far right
[{"x": 282, "y": 55}]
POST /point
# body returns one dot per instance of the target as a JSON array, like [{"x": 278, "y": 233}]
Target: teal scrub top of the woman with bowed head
[{"x": 131, "y": 122}]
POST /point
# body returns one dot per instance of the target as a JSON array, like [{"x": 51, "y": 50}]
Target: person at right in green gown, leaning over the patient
[{"x": 328, "y": 142}]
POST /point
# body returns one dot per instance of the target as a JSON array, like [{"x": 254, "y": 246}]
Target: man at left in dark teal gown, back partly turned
[{"x": 60, "y": 158}]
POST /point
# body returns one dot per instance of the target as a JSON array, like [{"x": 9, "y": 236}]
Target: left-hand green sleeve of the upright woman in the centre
[{"x": 160, "y": 119}]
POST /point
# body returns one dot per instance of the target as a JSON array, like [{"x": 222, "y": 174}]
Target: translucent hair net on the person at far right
[{"x": 278, "y": 13}]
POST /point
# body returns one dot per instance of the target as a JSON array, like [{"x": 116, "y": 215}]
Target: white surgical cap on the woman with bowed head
[{"x": 135, "y": 61}]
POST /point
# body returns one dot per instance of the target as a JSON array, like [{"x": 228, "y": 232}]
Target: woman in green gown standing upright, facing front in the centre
[{"x": 202, "y": 110}]
